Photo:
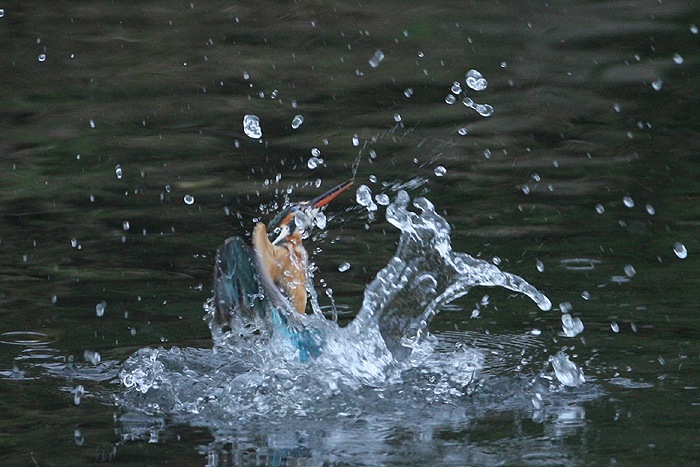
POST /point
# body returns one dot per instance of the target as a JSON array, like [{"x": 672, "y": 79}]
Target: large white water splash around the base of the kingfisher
[{"x": 386, "y": 353}]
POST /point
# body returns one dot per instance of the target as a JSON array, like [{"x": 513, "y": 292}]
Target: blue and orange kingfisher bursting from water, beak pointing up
[{"x": 263, "y": 288}]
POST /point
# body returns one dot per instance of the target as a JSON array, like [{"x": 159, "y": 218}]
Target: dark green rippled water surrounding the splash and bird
[{"x": 593, "y": 102}]
